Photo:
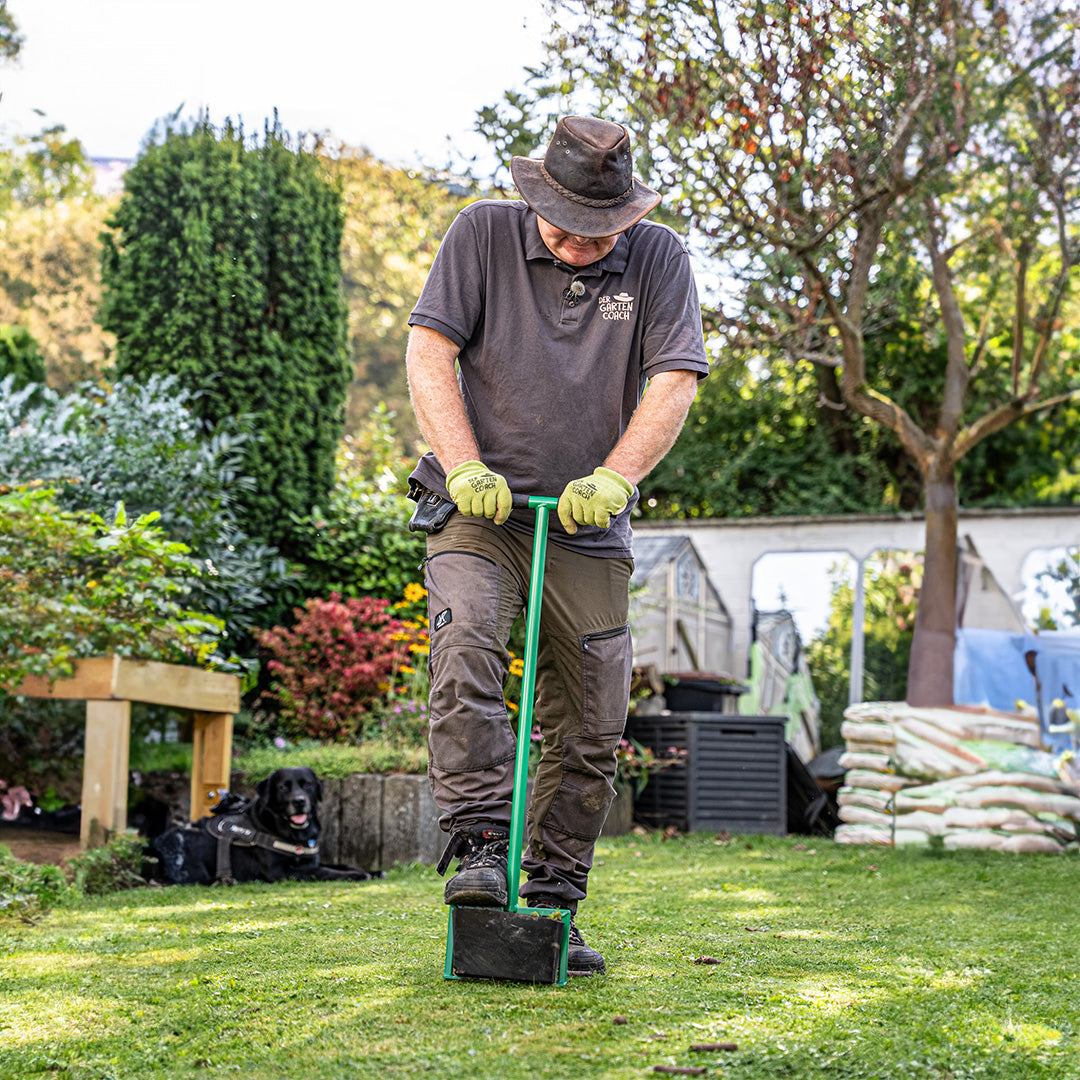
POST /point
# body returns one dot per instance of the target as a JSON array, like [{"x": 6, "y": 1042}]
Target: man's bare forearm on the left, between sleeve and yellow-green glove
[{"x": 437, "y": 398}]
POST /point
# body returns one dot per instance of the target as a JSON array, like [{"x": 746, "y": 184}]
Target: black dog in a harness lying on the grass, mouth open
[{"x": 268, "y": 839}]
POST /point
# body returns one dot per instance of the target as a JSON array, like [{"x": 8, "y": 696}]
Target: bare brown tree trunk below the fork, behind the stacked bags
[{"x": 930, "y": 674}]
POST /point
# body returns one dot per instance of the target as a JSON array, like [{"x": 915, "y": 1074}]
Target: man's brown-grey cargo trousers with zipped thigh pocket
[{"x": 478, "y": 578}]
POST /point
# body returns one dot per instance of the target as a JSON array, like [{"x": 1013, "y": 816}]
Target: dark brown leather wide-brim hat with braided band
[{"x": 586, "y": 184}]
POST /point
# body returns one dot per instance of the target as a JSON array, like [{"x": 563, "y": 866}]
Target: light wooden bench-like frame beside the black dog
[{"x": 110, "y": 685}]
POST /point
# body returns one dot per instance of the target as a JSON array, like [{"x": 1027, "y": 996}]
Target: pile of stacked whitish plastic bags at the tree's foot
[{"x": 976, "y": 778}]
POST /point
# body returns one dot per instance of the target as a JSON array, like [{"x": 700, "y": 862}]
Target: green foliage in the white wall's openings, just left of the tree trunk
[{"x": 893, "y": 583}]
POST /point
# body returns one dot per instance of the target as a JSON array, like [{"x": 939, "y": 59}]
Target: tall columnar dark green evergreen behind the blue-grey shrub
[{"x": 223, "y": 267}]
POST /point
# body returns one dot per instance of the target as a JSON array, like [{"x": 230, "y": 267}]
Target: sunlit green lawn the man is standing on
[{"x": 833, "y": 963}]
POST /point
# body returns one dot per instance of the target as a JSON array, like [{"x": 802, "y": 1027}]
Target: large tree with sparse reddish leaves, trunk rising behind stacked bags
[{"x": 820, "y": 148}]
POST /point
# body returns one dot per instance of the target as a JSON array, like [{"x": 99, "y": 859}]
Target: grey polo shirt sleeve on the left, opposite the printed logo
[{"x": 452, "y": 302}]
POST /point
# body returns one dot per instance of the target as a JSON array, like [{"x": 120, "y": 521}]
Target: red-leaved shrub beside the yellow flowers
[{"x": 330, "y": 669}]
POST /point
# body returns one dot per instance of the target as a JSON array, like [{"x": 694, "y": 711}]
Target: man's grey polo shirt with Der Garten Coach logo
[{"x": 550, "y": 379}]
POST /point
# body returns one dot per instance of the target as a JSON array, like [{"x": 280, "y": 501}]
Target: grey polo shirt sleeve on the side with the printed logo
[{"x": 673, "y": 339}]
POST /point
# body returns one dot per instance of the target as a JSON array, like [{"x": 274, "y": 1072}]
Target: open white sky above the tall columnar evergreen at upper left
[{"x": 400, "y": 79}]
